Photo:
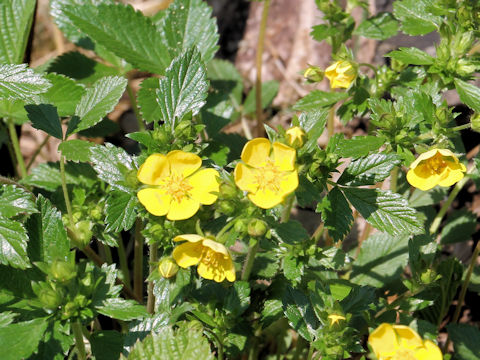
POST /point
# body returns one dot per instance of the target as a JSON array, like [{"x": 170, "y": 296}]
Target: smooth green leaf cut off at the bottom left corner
[{"x": 21, "y": 339}]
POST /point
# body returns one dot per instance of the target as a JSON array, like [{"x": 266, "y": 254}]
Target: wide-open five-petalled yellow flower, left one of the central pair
[{"x": 176, "y": 185}]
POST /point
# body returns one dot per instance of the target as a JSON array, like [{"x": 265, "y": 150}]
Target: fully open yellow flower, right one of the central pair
[{"x": 267, "y": 173}]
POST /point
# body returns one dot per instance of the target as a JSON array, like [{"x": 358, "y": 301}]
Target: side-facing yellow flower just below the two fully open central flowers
[{"x": 213, "y": 259}]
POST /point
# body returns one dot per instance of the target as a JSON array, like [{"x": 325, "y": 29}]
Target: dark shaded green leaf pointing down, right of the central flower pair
[{"x": 336, "y": 214}]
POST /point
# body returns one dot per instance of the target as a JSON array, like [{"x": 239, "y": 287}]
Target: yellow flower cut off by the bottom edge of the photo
[{"x": 399, "y": 342}]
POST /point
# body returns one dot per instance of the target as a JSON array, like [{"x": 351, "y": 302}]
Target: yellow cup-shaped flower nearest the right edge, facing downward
[{"x": 435, "y": 167}]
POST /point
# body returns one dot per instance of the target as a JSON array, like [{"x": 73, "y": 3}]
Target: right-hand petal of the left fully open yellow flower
[{"x": 204, "y": 184}]
